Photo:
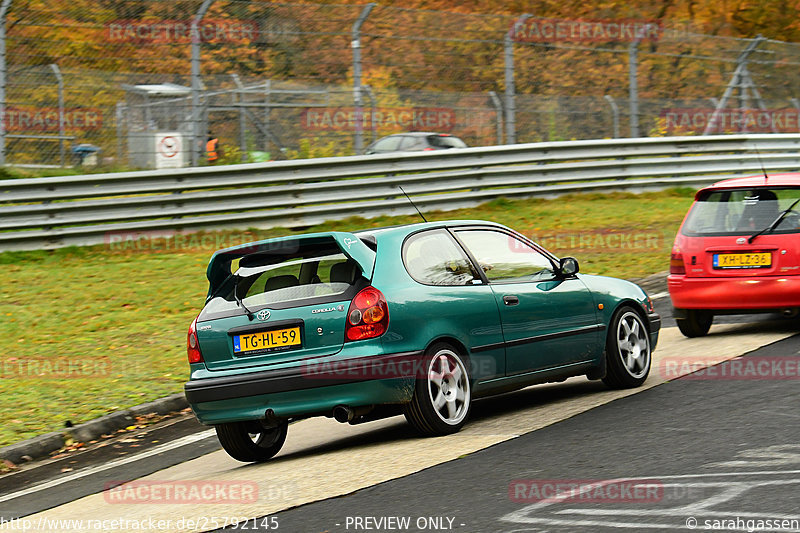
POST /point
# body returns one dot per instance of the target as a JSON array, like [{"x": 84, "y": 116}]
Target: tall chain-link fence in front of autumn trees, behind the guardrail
[{"x": 143, "y": 84}]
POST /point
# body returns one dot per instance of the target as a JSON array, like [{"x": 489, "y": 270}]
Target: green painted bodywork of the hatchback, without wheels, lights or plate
[{"x": 557, "y": 328}]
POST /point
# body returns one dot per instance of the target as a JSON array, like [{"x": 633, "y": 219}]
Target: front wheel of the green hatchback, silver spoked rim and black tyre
[{"x": 628, "y": 352}]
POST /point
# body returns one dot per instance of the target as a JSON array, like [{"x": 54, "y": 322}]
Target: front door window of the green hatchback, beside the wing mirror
[{"x": 505, "y": 258}]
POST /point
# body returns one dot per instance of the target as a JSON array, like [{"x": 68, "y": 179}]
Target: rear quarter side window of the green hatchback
[{"x": 434, "y": 258}]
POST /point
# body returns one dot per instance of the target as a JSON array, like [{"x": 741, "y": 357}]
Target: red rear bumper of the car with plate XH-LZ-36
[{"x": 731, "y": 294}]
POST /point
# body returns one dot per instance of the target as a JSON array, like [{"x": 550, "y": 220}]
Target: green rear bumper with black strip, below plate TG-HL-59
[{"x": 308, "y": 389}]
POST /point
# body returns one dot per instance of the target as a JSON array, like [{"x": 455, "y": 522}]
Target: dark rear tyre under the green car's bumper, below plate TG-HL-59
[{"x": 249, "y": 442}]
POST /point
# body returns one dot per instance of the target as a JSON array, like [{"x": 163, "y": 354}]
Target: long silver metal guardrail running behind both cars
[{"x": 80, "y": 210}]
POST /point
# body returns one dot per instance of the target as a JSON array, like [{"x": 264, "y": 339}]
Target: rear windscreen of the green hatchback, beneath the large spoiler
[{"x": 263, "y": 279}]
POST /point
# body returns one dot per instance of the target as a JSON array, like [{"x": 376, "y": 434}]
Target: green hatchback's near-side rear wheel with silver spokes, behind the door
[{"x": 443, "y": 396}]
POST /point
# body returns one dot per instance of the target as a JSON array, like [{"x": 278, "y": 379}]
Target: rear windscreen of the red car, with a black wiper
[{"x": 743, "y": 212}]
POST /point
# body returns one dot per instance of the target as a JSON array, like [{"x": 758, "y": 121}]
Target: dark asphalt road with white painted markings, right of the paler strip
[{"x": 698, "y": 450}]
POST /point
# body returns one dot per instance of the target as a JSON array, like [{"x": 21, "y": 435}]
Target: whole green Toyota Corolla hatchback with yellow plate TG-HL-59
[{"x": 419, "y": 319}]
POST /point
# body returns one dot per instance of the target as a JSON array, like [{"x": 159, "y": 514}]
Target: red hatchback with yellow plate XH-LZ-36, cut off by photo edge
[{"x": 738, "y": 251}]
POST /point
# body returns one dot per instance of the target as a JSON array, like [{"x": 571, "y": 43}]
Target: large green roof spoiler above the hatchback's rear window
[{"x": 219, "y": 267}]
